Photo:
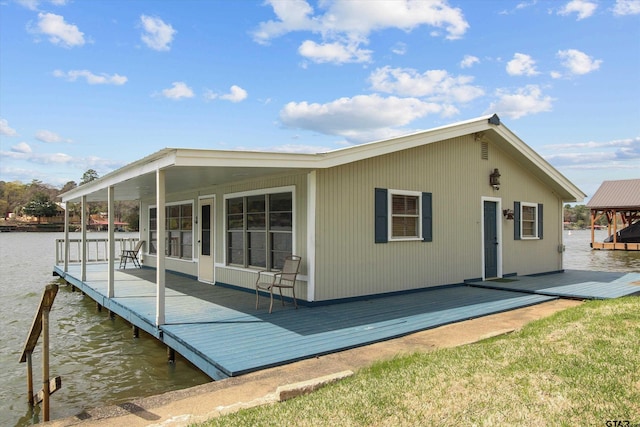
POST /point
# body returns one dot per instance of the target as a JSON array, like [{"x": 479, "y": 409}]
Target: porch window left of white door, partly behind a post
[{"x": 179, "y": 231}]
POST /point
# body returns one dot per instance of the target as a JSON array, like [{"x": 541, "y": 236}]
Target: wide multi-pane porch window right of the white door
[{"x": 259, "y": 229}]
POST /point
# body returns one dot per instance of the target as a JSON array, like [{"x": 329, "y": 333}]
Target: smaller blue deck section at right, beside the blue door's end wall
[{"x": 571, "y": 284}]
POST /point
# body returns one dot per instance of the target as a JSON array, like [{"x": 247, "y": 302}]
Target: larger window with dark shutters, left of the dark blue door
[{"x": 402, "y": 215}]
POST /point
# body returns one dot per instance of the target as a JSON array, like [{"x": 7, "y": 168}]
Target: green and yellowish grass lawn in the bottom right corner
[{"x": 578, "y": 367}]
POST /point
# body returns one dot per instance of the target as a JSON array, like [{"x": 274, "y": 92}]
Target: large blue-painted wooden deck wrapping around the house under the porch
[{"x": 219, "y": 330}]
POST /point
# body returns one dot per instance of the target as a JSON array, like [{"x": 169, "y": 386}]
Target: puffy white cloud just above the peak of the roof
[{"x": 525, "y": 101}]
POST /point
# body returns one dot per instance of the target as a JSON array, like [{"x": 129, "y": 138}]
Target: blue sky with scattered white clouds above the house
[{"x": 99, "y": 84}]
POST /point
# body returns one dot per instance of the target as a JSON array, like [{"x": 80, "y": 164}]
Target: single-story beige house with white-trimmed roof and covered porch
[{"x": 465, "y": 201}]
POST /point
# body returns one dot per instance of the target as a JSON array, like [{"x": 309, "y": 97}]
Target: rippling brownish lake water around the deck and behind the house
[{"x": 98, "y": 359}]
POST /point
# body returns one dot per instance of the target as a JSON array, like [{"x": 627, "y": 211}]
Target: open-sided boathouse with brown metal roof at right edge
[{"x": 620, "y": 202}]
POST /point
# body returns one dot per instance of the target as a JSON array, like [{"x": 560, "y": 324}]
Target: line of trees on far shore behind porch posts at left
[{"x": 19, "y": 201}]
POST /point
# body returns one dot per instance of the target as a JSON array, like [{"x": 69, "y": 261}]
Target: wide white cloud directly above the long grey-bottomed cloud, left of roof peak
[{"x": 436, "y": 85}]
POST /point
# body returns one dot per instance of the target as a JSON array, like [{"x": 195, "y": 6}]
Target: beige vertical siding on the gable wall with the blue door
[{"x": 348, "y": 261}]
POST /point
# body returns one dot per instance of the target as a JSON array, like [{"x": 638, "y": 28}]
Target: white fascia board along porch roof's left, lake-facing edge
[{"x": 159, "y": 160}]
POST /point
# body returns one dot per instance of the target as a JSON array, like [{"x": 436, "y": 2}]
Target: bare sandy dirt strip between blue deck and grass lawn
[{"x": 183, "y": 407}]
